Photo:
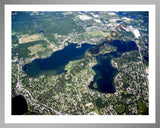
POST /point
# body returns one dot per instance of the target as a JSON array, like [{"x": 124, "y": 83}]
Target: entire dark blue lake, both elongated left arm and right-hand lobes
[{"x": 104, "y": 71}]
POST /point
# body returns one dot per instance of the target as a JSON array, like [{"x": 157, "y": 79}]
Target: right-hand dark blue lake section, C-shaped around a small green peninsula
[{"x": 105, "y": 73}]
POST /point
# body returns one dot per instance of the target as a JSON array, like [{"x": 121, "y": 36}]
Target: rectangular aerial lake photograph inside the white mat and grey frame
[{"x": 80, "y": 63}]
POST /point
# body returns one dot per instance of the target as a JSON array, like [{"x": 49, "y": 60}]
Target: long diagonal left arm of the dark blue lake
[{"x": 57, "y": 61}]
